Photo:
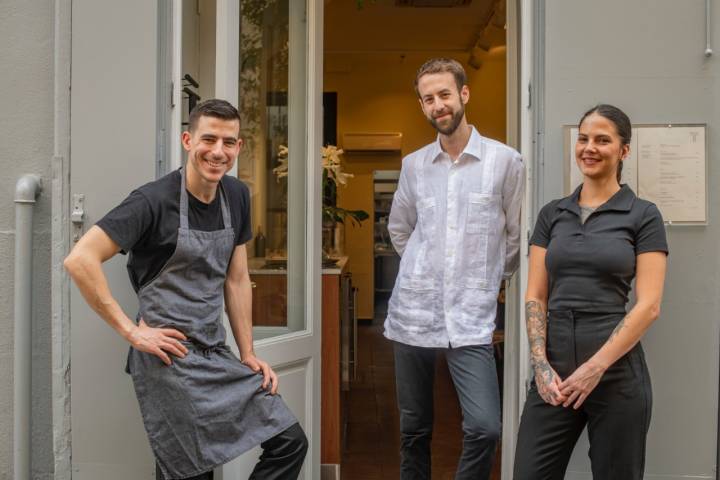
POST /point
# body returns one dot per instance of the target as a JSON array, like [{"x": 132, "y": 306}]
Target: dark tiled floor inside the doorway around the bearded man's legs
[{"x": 372, "y": 445}]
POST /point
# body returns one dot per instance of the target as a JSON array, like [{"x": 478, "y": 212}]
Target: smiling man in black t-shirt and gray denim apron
[{"x": 185, "y": 235}]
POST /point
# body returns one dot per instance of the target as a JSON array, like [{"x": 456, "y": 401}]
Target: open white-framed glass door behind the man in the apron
[{"x": 265, "y": 57}]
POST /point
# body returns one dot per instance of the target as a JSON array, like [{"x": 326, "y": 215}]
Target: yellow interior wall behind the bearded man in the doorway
[{"x": 375, "y": 94}]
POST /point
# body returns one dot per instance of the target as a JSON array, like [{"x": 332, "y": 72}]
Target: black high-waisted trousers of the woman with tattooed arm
[{"x": 616, "y": 413}]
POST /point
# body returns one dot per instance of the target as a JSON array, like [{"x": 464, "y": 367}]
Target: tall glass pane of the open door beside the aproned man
[{"x": 272, "y": 103}]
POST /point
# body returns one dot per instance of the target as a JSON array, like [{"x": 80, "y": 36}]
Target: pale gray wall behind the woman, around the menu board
[{"x": 646, "y": 56}]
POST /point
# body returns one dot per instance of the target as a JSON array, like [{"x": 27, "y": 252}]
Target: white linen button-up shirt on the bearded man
[{"x": 456, "y": 226}]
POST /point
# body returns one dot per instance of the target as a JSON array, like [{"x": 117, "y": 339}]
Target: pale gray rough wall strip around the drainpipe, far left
[{"x": 26, "y": 96}]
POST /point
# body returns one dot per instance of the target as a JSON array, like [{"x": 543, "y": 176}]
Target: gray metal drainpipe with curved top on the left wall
[{"x": 27, "y": 189}]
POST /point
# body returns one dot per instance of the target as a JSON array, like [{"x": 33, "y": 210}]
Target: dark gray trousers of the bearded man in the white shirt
[{"x": 474, "y": 375}]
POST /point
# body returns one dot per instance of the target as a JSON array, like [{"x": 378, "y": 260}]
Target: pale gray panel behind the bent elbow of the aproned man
[{"x": 113, "y": 137}]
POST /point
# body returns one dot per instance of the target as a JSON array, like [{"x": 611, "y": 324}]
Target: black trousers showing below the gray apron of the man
[{"x": 282, "y": 457}]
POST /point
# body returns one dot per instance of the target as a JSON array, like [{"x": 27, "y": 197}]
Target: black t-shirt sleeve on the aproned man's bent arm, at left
[{"x": 127, "y": 223}]
